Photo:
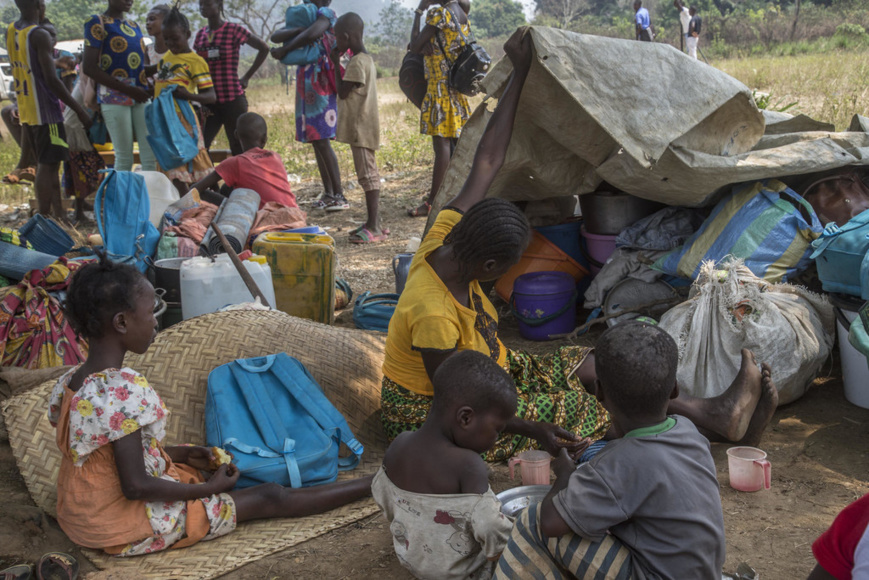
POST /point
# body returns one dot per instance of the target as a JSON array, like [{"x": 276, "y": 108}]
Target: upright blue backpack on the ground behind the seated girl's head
[{"x": 122, "y": 209}]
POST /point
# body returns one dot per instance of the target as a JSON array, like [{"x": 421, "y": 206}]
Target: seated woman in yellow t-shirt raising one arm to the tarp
[{"x": 443, "y": 309}]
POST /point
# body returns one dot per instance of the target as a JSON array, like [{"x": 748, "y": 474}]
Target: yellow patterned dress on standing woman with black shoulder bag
[{"x": 444, "y": 110}]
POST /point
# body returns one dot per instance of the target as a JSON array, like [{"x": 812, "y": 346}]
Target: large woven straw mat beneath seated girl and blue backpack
[{"x": 346, "y": 363}]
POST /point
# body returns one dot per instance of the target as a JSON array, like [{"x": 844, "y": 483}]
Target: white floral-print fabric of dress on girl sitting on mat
[{"x": 109, "y": 406}]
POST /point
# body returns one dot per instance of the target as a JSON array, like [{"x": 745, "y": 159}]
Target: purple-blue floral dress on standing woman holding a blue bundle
[{"x": 316, "y": 92}]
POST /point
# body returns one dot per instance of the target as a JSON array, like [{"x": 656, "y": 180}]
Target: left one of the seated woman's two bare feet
[{"x": 730, "y": 413}]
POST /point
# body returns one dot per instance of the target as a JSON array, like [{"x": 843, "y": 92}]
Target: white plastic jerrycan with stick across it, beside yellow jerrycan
[{"x": 208, "y": 286}]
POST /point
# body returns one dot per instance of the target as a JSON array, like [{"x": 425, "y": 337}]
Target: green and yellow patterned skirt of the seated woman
[{"x": 546, "y": 393}]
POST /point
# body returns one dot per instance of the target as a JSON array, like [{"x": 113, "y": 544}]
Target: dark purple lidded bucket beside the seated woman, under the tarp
[{"x": 544, "y": 304}]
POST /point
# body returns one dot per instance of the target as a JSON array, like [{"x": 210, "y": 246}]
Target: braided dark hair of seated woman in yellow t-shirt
[{"x": 493, "y": 229}]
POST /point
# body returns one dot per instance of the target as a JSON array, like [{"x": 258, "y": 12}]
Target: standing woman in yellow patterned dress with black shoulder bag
[{"x": 444, "y": 110}]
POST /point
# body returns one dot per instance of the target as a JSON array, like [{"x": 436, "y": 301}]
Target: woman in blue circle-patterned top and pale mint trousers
[{"x": 114, "y": 57}]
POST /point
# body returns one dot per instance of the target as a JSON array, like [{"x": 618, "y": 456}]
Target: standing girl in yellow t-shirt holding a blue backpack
[{"x": 189, "y": 72}]
